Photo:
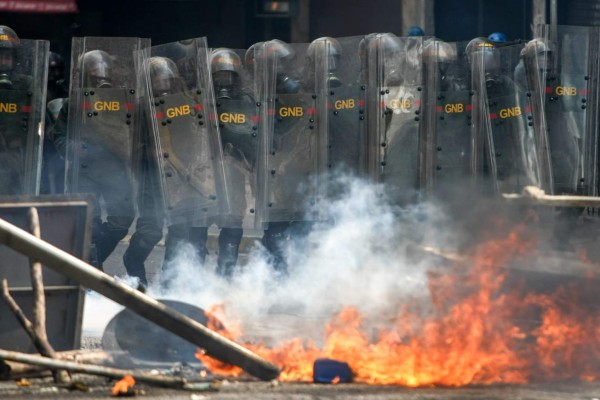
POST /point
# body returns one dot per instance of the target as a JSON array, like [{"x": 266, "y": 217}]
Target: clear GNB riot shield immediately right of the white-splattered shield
[{"x": 447, "y": 127}]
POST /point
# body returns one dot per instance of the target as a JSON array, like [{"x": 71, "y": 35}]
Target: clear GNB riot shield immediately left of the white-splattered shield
[{"x": 341, "y": 102}]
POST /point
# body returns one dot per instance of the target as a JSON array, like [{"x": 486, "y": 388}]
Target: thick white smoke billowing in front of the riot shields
[{"x": 363, "y": 256}]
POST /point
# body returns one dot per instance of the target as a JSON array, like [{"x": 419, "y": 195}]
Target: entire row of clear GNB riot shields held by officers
[{"x": 252, "y": 138}]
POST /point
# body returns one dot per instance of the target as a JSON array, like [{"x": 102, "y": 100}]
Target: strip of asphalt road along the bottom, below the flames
[{"x": 100, "y": 389}]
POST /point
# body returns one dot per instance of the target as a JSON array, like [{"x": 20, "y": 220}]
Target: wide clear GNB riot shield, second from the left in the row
[{"x": 104, "y": 116}]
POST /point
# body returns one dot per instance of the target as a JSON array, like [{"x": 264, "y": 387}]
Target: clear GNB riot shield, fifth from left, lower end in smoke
[{"x": 293, "y": 167}]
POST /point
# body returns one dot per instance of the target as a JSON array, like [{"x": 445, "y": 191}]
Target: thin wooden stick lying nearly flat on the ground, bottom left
[{"x": 161, "y": 380}]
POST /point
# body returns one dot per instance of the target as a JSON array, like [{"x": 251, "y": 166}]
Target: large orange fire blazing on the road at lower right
[{"x": 485, "y": 328}]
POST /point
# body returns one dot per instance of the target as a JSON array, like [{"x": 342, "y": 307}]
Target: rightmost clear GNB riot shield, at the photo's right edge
[{"x": 566, "y": 71}]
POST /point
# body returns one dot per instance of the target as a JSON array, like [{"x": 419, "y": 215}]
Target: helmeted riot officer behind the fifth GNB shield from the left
[{"x": 292, "y": 150}]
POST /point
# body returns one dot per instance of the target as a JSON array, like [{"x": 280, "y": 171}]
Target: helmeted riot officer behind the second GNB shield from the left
[{"x": 104, "y": 154}]
